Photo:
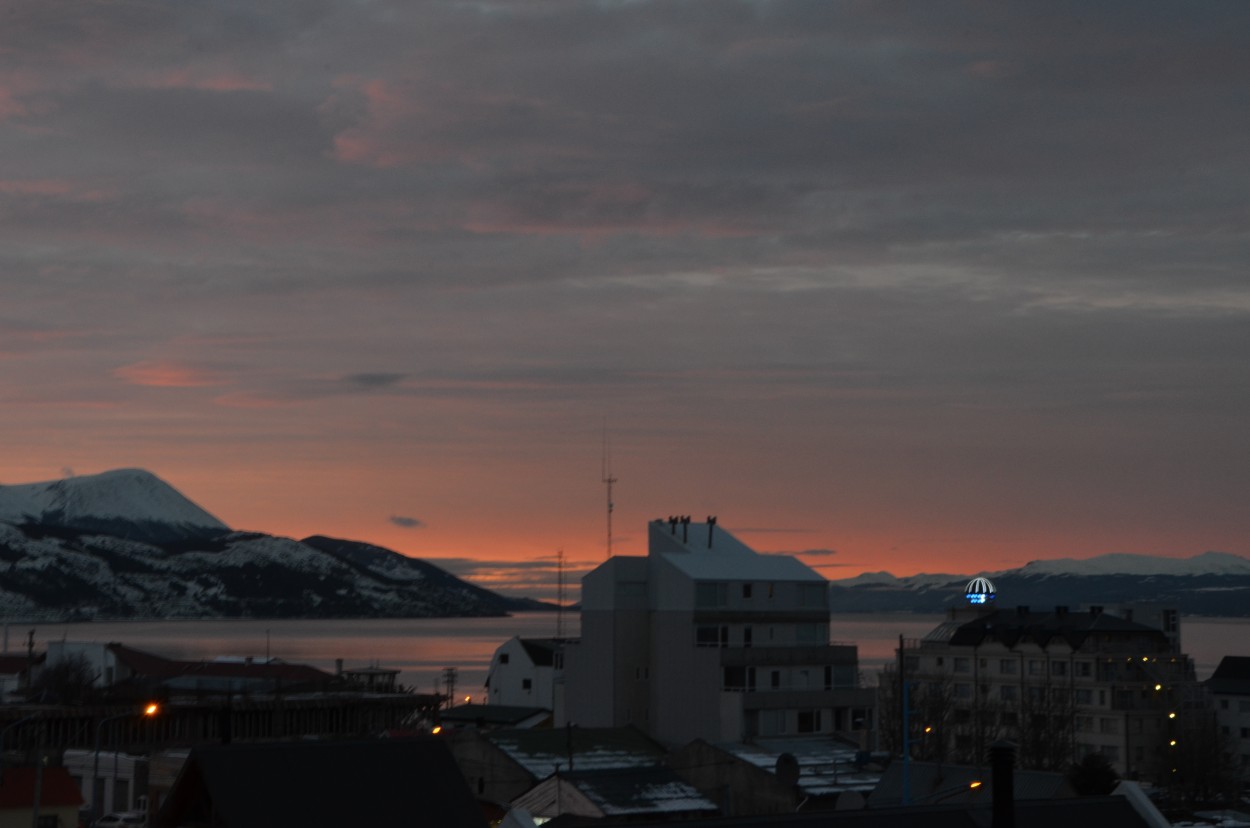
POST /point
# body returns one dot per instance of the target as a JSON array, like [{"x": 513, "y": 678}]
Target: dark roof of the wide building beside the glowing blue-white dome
[{"x": 1022, "y": 625}]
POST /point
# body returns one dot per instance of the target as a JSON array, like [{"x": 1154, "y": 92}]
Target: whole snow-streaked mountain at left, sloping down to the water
[{"x": 127, "y": 545}]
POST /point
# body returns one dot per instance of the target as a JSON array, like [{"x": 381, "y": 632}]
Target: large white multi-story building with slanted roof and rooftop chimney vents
[{"x": 707, "y": 639}]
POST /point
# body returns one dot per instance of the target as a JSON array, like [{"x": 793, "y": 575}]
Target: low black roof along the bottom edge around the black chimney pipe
[{"x": 1081, "y": 812}]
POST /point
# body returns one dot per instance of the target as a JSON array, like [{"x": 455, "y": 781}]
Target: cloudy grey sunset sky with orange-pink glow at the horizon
[{"x": 941, "y": 287}]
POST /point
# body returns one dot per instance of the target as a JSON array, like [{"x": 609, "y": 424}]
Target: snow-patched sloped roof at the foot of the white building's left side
[{"x": 542, "y": 751}]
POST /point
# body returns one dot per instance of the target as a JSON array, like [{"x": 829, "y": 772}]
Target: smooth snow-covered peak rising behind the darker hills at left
[{"x": 127, "y": 503}]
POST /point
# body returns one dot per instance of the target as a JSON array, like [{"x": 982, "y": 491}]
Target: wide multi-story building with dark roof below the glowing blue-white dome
[{"x": 1059, "y": 684}]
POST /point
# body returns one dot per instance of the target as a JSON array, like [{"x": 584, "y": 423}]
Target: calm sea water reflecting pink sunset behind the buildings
[{"x": 421, "y": 649}]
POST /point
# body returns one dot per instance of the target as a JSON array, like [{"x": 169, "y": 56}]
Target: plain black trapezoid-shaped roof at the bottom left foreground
[{"x": 392, "y": 782}]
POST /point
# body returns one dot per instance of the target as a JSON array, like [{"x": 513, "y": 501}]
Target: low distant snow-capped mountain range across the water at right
[{"x": 1213, "y": 583}]
